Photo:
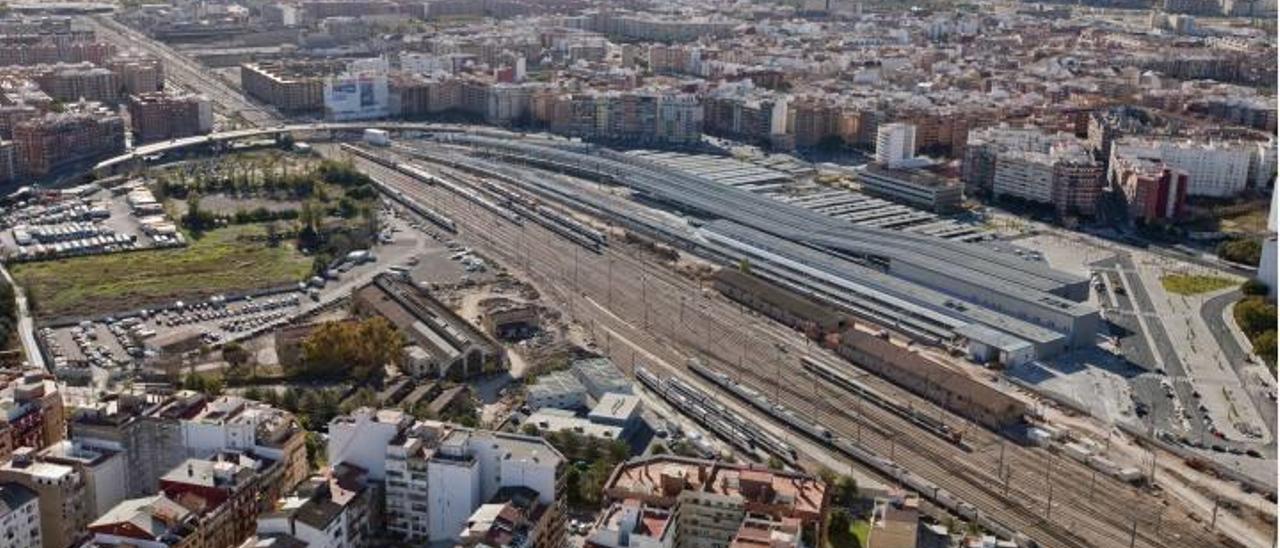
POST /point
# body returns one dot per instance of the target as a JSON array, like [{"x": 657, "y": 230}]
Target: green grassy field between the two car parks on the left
[{"x": 222, "y": 261}]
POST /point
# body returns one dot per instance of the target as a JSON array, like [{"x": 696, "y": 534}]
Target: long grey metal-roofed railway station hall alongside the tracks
[{"x": 924, "y": 285}]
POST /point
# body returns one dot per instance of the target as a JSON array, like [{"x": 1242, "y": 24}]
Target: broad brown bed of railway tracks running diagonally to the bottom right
[{"x": 643, "y": 313}]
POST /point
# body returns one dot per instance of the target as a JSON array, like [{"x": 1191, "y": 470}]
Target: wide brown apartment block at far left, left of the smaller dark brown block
[{"x": 54, "y": 141}]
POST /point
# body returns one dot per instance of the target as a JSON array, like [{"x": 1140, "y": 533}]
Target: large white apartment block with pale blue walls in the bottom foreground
[{"x": 438, "y": 474}]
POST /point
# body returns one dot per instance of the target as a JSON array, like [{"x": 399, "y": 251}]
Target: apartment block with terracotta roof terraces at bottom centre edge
[{"x": 679, "y": 503}]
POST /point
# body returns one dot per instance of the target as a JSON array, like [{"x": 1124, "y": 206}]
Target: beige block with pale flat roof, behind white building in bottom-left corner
[{"x": 61, "y": 494}]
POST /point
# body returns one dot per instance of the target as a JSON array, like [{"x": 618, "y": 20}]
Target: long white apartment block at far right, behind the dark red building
[{"x": 1217, "y": 170}]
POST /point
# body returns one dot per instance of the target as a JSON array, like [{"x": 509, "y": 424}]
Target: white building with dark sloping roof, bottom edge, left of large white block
[{"x": 324, "y": 512}]
